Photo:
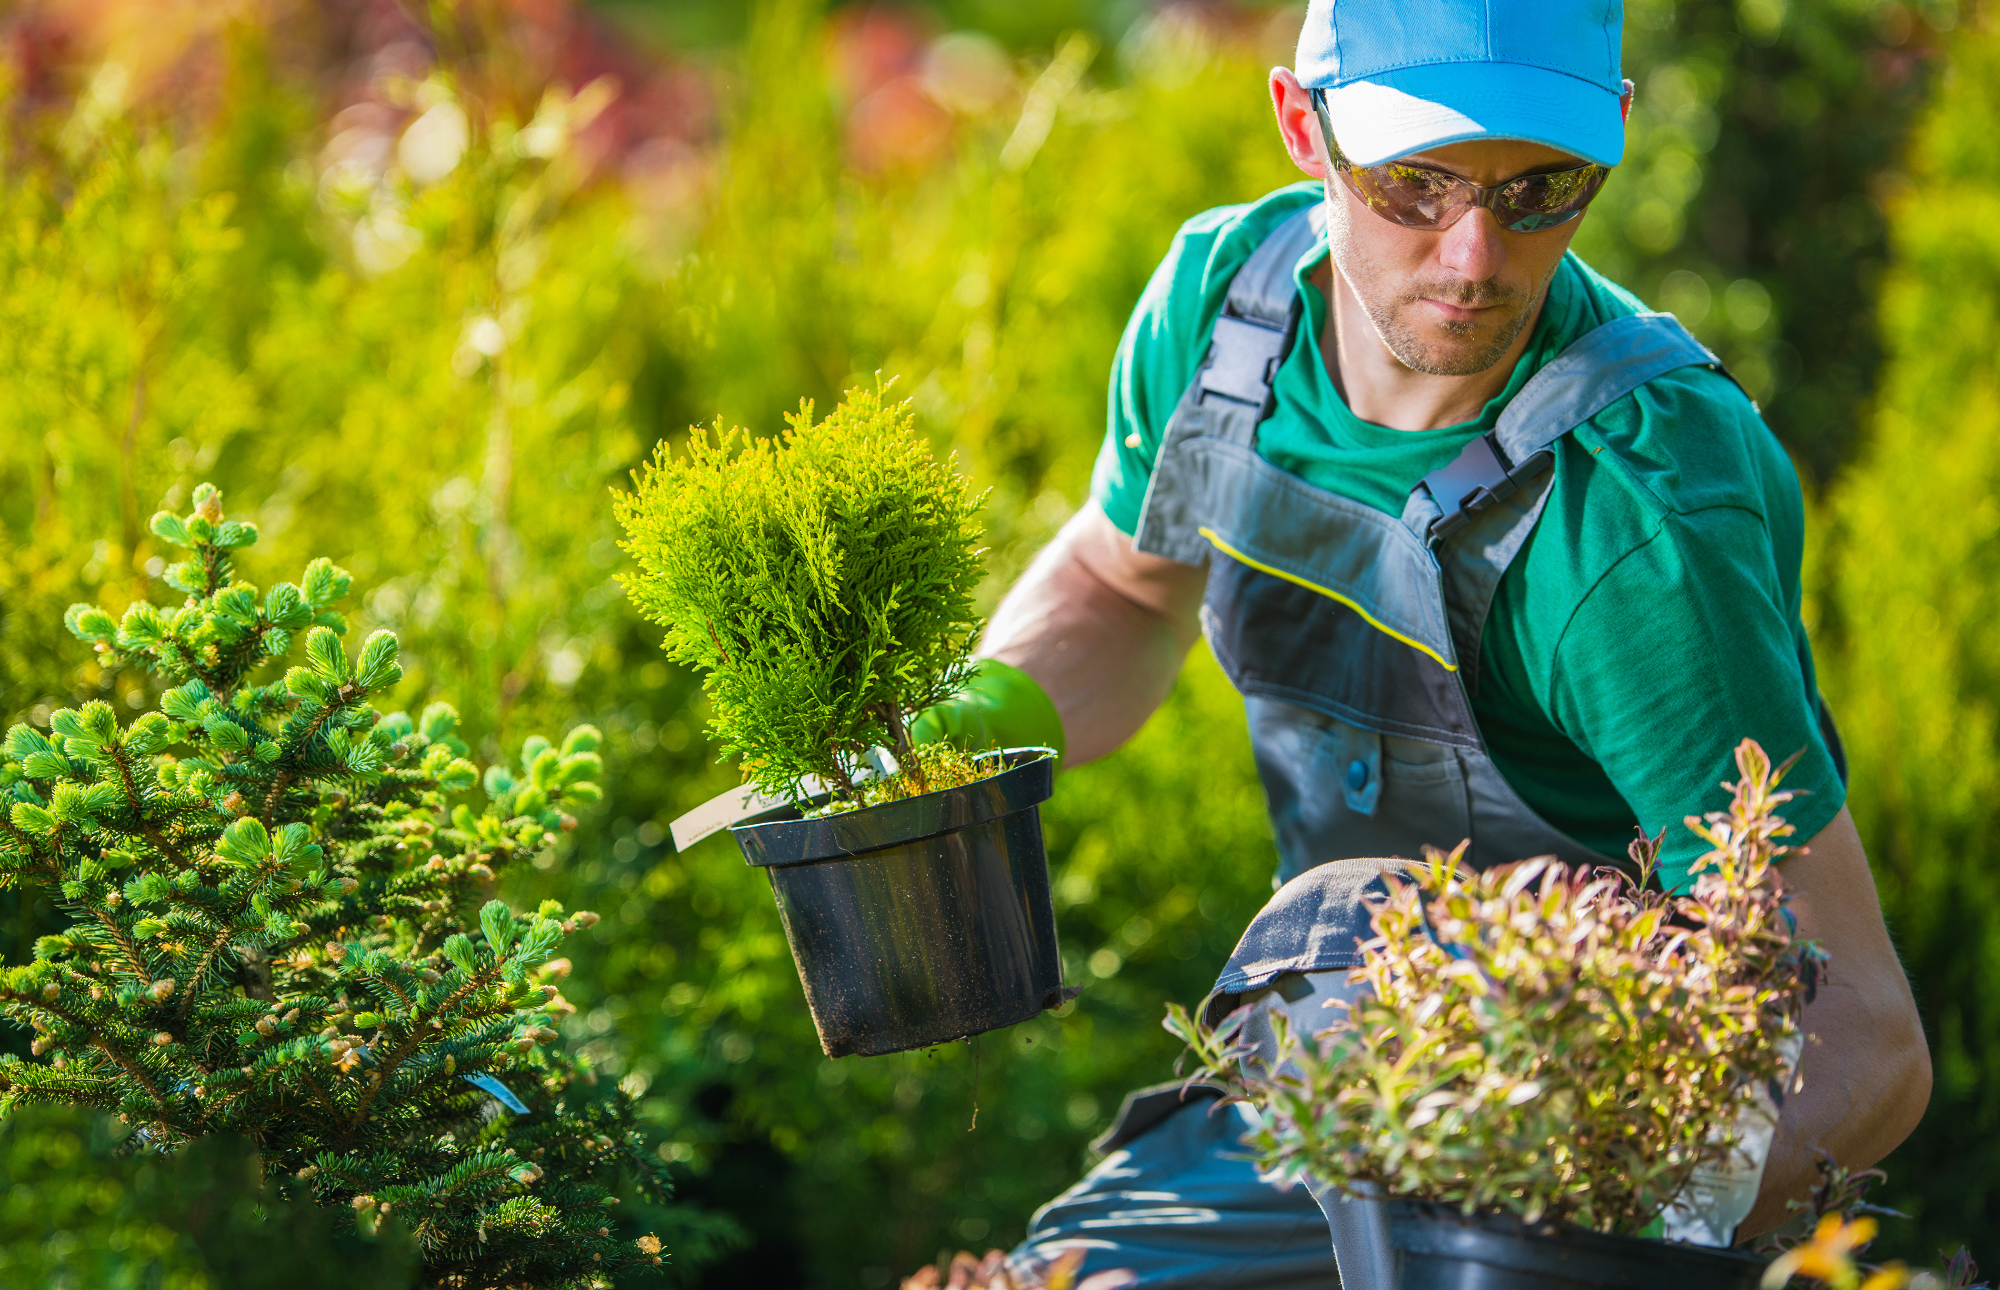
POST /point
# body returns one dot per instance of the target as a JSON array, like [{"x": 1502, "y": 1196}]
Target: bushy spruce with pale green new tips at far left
[{"x": 283, "y": 929}]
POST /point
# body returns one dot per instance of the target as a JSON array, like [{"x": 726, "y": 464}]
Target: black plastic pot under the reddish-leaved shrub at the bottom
[{"x": 1441, "y": 1249}]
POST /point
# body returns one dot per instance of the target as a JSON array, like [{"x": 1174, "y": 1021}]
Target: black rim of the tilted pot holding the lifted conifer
[{"x": 783, "y": 835}]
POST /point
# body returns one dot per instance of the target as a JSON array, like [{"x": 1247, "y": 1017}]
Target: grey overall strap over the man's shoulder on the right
[{"x": 1593, "y": 373}]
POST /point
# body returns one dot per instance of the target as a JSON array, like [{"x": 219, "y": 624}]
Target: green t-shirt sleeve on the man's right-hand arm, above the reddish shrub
[{"x": 1679, "y": 653}]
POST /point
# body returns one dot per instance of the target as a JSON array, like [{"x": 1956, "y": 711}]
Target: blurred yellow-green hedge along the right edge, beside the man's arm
[{"x": 1905, "y": 573}]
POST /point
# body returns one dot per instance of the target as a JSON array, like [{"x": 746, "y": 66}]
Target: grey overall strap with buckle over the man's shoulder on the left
[{"x": 1259, "y": 321}]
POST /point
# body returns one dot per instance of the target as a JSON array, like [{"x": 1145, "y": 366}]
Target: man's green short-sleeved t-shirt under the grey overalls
[{"x": 1653, "y": 619}]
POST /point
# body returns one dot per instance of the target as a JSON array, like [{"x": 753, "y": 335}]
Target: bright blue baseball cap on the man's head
[{"x": 1411, "y": 75}]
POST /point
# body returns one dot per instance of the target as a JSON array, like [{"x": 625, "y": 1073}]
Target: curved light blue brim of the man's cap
[{"x": 1419, "y": 109}]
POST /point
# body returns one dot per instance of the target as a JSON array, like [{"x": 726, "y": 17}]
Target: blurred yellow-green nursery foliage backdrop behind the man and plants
[{"x": 417, "y": 285}]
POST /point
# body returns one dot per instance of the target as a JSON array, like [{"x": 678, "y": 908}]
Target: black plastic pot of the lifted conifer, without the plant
[{"x": 923, "y": 921}]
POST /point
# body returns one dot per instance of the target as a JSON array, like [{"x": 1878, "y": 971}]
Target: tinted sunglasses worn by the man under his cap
[{"x": 1419, "y": 197}]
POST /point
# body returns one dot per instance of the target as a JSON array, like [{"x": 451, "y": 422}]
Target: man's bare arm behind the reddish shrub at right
[{"x": 1867, "y": 1067}]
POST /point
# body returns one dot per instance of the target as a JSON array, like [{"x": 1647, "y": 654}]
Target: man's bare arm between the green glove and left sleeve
[{"x": 1101, "y": 627}]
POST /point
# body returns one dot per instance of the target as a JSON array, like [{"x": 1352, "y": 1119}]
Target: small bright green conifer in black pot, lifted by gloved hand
[{"x": 823, "y": 583}]
